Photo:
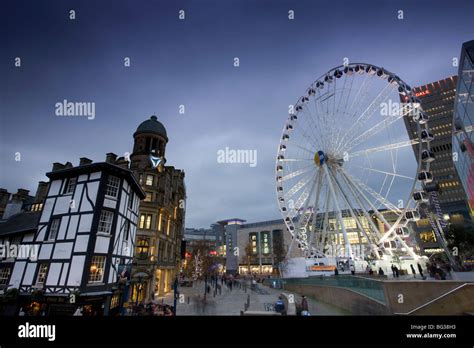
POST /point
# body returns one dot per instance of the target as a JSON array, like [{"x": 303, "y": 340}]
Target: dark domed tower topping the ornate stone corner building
[{"x": 149, "y": 138}]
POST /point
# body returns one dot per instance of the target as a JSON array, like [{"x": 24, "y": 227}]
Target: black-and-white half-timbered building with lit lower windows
[{"x": 85, "y": 238}]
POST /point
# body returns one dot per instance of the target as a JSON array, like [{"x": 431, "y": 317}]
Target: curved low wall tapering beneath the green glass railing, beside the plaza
[{"x": 355, "y": 303}]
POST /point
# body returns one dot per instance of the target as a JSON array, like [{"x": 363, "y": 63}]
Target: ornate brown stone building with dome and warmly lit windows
[{"x": 160, "y": 226}]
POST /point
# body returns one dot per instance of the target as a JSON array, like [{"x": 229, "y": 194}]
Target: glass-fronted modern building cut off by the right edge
[{"x": 463, "y": 122}]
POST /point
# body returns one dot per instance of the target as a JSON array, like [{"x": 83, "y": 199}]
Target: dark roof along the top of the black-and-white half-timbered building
[{"x": 99, "y": 166}]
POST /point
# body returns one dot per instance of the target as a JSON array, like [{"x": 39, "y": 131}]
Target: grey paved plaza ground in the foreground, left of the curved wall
[{"x": 231, "y": 302}]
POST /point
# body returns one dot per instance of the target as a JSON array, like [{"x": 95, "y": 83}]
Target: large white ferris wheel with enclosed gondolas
[{"x": 349, "y": 178}]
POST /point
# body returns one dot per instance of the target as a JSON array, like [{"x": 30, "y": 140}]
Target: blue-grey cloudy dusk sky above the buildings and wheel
[{"x": 190, "y": 62}]
